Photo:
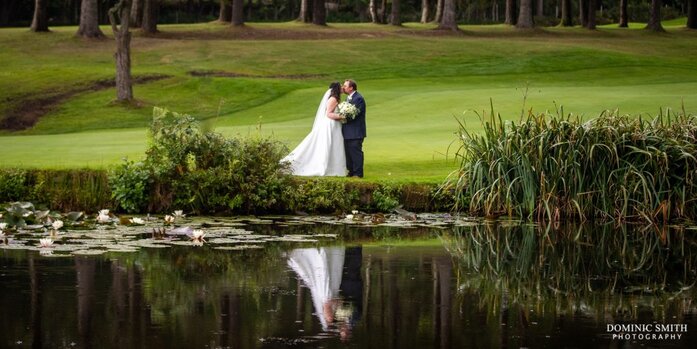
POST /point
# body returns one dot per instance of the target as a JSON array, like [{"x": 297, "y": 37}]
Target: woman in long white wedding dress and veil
[{"x": 321, "y": 153}]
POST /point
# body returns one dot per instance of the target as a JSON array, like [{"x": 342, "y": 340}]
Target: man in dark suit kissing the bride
[{"x": 354, "y": 131}]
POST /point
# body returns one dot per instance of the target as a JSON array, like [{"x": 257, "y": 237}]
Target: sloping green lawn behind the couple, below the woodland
[{"x": 415, "y": 81}]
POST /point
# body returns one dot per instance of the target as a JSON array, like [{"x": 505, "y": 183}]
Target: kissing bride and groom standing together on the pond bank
[{"x": 335, "y": 144}]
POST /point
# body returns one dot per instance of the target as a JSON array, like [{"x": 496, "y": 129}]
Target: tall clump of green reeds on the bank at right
[{"x": 550, "y": 167}]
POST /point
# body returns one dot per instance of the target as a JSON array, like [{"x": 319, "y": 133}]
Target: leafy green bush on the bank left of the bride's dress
[{"x": 188, "y": 167}]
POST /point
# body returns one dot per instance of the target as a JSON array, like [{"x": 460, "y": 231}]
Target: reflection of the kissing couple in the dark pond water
[{"x": 326, "y": 271}]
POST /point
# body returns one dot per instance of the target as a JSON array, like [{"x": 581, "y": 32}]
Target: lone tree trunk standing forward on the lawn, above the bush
[{"x": 124, "y": 84}]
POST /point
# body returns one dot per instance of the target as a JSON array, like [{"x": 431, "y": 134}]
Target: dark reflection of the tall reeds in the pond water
[{"x": 599, "y": 271}]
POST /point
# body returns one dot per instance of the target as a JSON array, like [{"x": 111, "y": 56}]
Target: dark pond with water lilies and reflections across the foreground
[{"x": 308, "y": 282}]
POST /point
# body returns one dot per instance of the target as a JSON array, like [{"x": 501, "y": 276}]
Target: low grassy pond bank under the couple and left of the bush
[{"x": 89, "y": 190}]
